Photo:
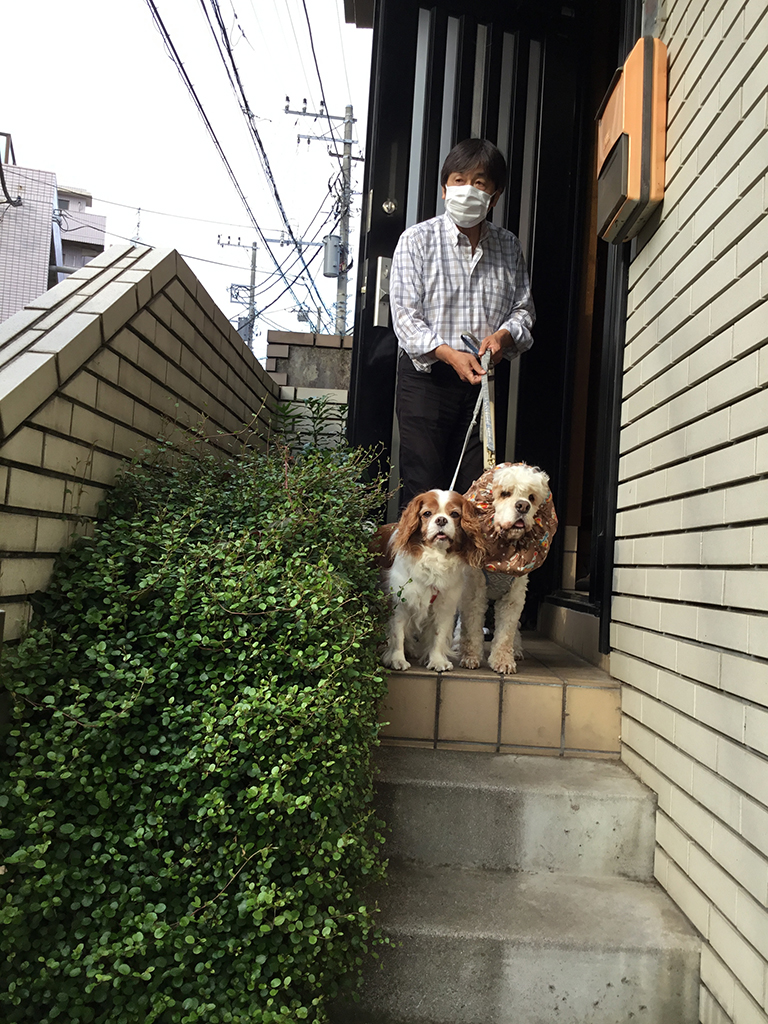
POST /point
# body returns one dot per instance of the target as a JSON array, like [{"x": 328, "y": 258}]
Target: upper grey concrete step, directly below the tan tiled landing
[{"x": 516, "y": 813}]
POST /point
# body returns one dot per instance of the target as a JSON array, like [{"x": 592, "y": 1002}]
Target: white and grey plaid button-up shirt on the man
[{"x": 441, "y": 289}]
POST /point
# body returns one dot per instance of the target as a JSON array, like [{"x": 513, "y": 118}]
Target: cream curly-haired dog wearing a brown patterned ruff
[{"x": 519, "y": 518}]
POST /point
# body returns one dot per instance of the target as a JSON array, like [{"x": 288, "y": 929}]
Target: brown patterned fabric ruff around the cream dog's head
[{"x": 528, "y": 554}]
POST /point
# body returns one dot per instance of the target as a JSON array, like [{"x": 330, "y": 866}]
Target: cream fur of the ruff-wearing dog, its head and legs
[{"x": 519, "y": 492}]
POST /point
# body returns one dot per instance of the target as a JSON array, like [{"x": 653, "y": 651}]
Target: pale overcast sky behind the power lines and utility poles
[{"x": 90, "y": 93}]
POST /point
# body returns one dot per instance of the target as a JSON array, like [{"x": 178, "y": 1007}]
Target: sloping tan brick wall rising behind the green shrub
[{"x": 130, "y": 349}]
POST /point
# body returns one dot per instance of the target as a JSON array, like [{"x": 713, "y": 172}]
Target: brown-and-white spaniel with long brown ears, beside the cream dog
[{"x": 438, "y": 539}]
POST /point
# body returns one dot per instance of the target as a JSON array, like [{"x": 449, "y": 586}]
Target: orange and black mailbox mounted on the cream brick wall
[{"x": 631, "y": 143}]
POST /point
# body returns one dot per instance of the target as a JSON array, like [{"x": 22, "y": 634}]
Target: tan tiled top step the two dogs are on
[{"x": 557, "y": 705}]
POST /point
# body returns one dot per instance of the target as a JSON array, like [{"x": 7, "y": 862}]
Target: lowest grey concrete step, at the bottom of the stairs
[{"x": 494, "y": 948}]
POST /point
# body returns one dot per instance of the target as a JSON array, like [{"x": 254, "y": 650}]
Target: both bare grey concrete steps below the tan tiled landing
[{"x": 522, "y": 892}]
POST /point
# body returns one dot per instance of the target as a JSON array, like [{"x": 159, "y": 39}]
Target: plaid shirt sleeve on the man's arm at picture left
[{"x": 407, "y": 302}]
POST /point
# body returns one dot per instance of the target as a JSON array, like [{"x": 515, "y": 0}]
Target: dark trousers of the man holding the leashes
[{"x": 435, "y": 411}]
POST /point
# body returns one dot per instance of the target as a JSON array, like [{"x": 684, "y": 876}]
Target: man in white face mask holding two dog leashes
[{"x": 453, "y": 275}]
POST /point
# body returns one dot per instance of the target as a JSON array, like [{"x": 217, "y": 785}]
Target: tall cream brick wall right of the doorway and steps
[{"x": 691, "y": 623}]
